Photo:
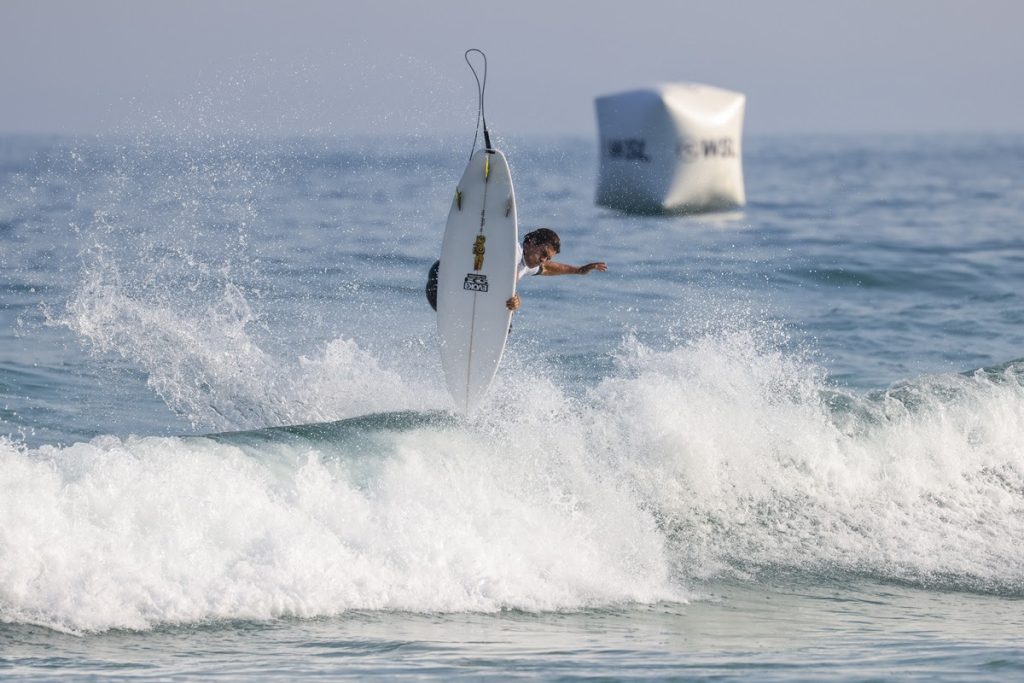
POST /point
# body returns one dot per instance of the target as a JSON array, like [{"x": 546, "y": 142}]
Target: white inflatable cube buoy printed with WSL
[{"x": 673, "y": 148}]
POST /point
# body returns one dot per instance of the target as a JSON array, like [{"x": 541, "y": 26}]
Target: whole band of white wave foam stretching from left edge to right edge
[{"x": 718, "y": 457}]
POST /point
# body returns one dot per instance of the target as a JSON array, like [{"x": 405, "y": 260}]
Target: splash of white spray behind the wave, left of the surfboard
[{"x": 207, "y": 367}]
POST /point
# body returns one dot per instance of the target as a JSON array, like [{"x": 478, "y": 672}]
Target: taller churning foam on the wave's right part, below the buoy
[{"x": 753, "y": 462}]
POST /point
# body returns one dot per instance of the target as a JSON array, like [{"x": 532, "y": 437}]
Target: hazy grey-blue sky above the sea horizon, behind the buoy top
[{"x": 297, "y": 67}]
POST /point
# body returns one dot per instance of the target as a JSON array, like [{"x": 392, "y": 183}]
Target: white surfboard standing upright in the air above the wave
[{"x": 478, "y": 276}]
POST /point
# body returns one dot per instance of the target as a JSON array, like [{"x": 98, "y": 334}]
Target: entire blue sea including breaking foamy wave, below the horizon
[{"x": 784, "y": 443}]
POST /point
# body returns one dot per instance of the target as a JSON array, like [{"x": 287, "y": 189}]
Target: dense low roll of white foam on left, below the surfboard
[{"x": 150, "y": 531}]
